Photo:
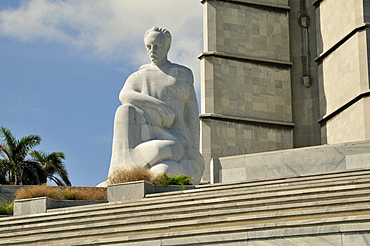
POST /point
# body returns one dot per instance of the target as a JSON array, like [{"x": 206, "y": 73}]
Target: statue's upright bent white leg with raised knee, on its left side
[{"x": 130, "y": 129}]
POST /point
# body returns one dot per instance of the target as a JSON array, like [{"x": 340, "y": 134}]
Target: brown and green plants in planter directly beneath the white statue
[{"x": 139, "y": 173}]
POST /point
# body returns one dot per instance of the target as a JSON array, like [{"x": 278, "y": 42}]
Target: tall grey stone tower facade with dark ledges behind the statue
[{"x": 282, "y": 74}]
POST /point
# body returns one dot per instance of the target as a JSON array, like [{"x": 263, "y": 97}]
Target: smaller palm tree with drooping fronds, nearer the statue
[{"x": 52, "y": 164}]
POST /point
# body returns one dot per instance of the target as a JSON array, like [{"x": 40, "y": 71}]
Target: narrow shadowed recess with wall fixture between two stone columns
[{"x": 305, "y": 87}]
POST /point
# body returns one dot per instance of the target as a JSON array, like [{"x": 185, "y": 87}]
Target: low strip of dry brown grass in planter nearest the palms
[{"x": 62, "y": 193}]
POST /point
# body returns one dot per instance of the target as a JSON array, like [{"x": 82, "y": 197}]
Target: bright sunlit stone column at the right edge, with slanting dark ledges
[{"x": 343, "y": 33}]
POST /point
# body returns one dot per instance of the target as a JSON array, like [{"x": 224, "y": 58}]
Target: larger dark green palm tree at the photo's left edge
[{"x": 15, "y": 166}]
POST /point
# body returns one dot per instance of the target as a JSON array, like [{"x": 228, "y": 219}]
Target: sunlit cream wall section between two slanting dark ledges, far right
[{"x": 342, "y": 78}]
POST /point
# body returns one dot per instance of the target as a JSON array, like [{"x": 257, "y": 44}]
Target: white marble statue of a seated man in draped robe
[{"x": 157, "y": 125}]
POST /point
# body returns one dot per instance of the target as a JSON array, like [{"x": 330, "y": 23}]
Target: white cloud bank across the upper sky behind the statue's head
[{"x": 111, "y": 29}]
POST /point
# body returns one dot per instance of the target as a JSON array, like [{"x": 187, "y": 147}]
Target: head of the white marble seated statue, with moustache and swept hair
[{"x": 157, "y": 43}]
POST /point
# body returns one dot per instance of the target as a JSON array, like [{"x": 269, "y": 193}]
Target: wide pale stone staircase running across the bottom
[{"x": 326, "y": 209}]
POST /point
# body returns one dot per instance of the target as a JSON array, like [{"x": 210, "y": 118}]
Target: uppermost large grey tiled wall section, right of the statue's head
[{"x": 264, "y": 37}]
